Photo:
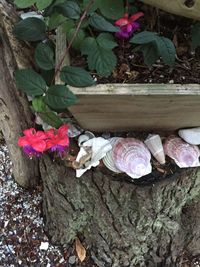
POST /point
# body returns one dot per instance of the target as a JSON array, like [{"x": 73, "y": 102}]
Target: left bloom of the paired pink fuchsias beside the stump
[{"x": 33, "y": 142}]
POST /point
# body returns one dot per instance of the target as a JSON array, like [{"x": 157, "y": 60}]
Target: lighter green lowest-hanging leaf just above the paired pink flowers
[{"x": 48, "y": 116}]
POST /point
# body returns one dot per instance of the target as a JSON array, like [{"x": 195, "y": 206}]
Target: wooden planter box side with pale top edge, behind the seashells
[{"x": 122, "y": 107}]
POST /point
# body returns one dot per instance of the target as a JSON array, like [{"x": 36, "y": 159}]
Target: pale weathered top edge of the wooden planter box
[{"x": 138, "y": 89}]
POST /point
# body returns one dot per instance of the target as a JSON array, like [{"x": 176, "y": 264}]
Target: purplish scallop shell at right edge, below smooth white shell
[{"x": 184, "y": 154}]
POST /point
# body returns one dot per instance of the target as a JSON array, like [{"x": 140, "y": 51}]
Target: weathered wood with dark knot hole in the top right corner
[{"x": 189, "y": 9}]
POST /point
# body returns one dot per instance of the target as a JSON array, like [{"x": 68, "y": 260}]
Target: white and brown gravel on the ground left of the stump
[{"x": 22, "y": 239}]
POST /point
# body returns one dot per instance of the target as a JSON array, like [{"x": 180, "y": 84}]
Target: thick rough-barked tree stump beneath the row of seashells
[{"x": 123, "y": 224}]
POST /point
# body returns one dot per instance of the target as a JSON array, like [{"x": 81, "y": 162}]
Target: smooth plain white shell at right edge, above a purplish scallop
[{"x": 191, "y": 136}]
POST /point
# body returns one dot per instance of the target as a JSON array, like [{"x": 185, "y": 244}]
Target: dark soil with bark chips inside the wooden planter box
[{"x": 131, "y": 67}]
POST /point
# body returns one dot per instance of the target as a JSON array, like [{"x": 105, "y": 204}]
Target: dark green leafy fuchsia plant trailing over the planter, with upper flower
[{"x": 95, "y": 29}]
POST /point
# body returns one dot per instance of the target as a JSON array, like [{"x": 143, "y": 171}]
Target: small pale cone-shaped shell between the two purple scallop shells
[{"x": 154, "y": 144}]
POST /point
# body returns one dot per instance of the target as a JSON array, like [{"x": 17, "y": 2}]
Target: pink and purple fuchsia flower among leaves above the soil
[{"x": 128, "y": 25}]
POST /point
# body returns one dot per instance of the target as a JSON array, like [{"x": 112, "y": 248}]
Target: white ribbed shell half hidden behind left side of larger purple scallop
[{"x": 108, "y": 159}]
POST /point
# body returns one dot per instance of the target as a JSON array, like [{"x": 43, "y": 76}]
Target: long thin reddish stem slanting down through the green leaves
[{"x": 57, "y": 69}]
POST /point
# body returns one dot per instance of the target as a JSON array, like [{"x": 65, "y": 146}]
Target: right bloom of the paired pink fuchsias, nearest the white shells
[{"x": 57, "y": 140}]
